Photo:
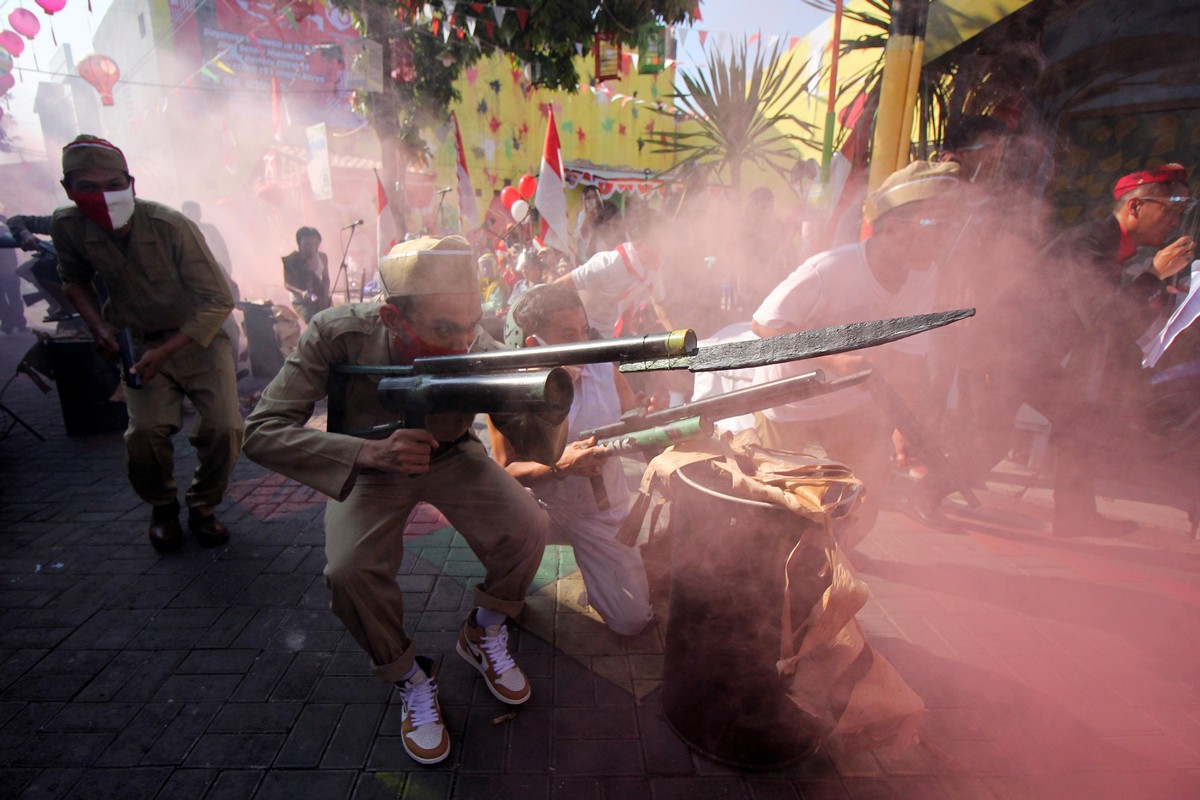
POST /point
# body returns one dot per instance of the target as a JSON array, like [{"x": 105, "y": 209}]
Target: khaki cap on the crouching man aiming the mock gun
[{"x": 429, "y": 266}]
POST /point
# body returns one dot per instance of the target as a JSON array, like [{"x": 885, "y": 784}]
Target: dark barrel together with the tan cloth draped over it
[{"x": 765, "y": 659}]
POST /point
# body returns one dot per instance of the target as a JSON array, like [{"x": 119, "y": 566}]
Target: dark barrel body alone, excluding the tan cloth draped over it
[{"x": 722, "y": 693}]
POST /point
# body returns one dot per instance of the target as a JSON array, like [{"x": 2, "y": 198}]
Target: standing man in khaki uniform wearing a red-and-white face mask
[{"x": 164, "y": 285}]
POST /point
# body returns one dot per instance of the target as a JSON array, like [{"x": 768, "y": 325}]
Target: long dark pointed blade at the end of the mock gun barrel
[{"x": 805, "y": 345}]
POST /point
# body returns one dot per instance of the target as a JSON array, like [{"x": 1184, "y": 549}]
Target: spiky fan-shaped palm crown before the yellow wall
[{"x": 735, "y": 112}]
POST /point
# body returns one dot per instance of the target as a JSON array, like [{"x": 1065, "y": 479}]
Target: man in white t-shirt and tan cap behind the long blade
[{"x": 889, "y": 275}]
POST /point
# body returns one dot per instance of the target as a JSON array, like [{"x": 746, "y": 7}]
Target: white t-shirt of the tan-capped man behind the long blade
[{"x": 836, "y": 288}]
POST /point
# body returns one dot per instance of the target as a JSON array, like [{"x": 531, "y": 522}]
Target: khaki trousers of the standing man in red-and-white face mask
[{"x": 206, "y": 376}]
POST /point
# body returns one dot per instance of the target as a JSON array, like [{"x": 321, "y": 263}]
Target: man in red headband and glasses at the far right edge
[{"x": 1112, "y": 302}]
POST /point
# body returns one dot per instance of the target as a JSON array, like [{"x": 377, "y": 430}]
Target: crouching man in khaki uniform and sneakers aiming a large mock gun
[{"x": 433, "y": 309}]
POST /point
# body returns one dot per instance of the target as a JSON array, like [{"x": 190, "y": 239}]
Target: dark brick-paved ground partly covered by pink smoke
[{"x": 1051, "y": 669}]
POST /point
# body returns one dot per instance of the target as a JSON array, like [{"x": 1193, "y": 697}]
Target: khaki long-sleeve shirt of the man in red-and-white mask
[{"x": 165, "y": 279}]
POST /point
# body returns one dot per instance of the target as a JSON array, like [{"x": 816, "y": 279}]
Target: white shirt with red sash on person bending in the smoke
[{"x": 609, "y": 286}]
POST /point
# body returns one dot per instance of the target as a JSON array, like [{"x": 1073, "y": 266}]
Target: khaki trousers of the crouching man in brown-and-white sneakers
[{"x": 501, "y": 521}]
